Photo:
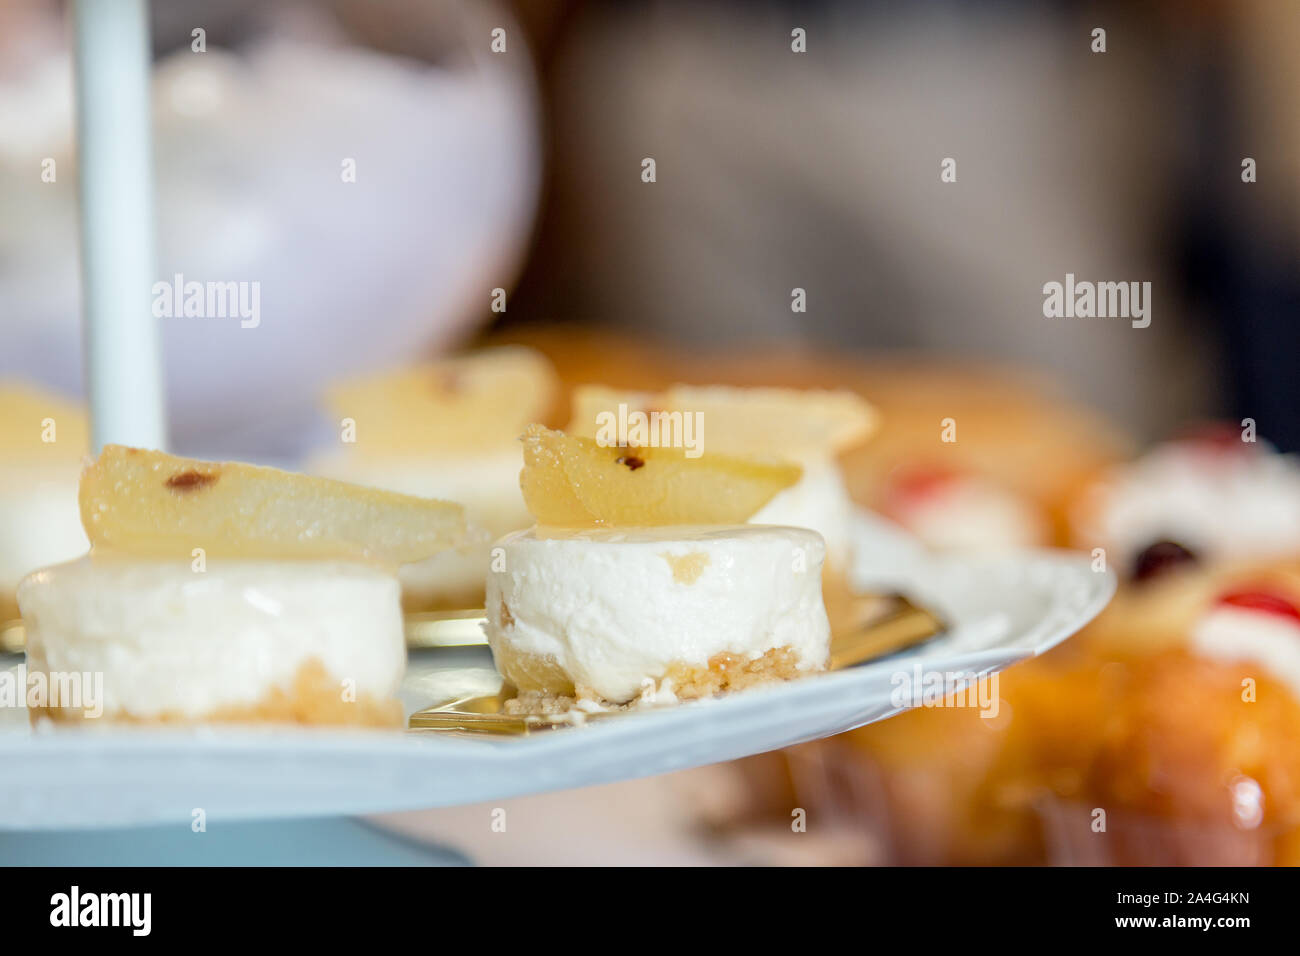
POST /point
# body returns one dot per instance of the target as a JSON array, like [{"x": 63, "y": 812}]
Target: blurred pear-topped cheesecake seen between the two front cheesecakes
[{"x": 445, "y": 430}]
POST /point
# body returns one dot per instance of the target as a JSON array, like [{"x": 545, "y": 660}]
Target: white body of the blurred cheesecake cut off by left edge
[{"x": 40, "y": 522}]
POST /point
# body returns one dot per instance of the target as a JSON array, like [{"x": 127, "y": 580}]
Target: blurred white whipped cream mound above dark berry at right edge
[{"x": 1237, "y": 501}]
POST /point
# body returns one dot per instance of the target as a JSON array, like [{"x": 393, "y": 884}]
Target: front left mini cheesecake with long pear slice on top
[{"x": 231, "y": 592}]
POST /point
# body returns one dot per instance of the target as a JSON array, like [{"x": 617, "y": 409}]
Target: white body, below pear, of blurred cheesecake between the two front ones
[{"x": 486, "y": 483}]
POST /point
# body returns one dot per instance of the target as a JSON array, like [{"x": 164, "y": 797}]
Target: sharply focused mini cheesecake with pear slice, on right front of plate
[{"x": 642, "y": 578}]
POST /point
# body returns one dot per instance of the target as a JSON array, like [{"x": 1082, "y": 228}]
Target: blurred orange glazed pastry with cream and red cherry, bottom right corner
[{"x": 1185, "y": 738}]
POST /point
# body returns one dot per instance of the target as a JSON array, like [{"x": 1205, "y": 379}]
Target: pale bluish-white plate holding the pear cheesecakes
[{"x": 1000, "y": 609}]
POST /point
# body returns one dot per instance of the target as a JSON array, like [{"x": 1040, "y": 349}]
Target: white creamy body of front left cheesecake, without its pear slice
[{"x": 302, "y": 641}]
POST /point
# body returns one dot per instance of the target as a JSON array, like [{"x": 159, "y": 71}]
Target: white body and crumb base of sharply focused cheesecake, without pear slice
[{"x": 609, "y": 613}]
